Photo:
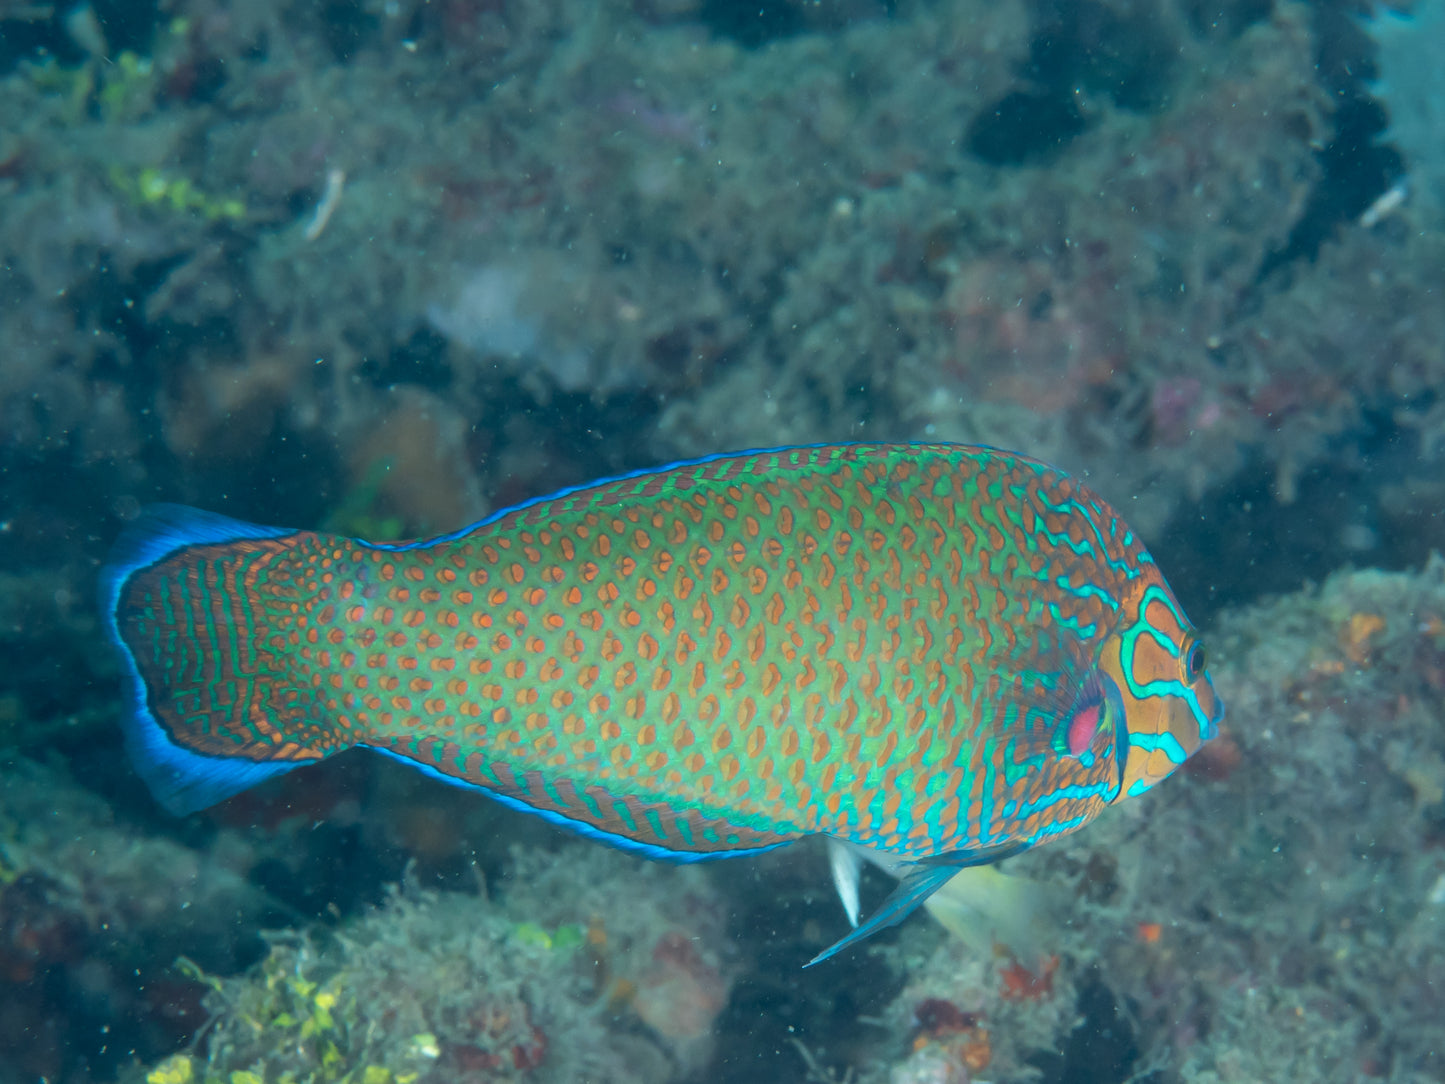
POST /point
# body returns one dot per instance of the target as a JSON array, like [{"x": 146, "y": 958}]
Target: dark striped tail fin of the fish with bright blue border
[{"x": 212, "y": 699}]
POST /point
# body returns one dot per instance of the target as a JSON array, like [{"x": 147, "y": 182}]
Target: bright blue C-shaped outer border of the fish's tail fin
[{"x": 181, "y": 781}]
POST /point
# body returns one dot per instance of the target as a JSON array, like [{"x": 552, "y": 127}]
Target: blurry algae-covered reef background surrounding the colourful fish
[{"x": 388, "y": 265}]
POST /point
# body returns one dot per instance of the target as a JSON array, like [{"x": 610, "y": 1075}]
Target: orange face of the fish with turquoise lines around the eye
[{"x": 1155, "y": 683}]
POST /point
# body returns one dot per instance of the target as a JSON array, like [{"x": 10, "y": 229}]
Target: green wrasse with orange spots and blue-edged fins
[{"x": 946, "y": 654}]
